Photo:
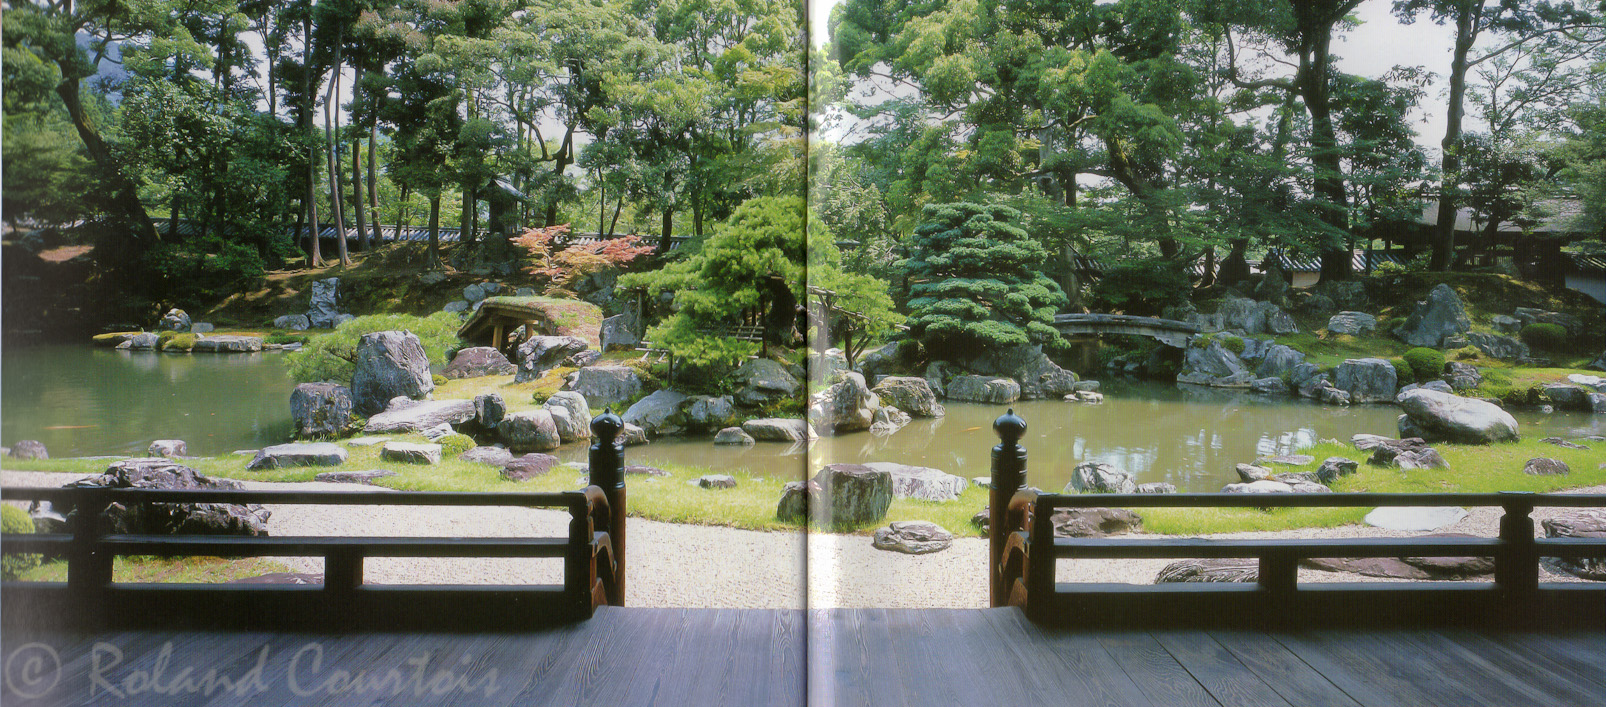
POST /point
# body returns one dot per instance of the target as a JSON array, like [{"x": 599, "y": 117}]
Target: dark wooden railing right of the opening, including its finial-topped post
[{"x": 1025, "y": 552}]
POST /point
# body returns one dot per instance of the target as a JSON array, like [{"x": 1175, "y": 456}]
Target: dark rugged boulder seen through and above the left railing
[{"x": 174, "y": 518}]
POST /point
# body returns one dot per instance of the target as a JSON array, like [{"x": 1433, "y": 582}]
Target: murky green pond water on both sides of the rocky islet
[{"x": 83, "y": 403}]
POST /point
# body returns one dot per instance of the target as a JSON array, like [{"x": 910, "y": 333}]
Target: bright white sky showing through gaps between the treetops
[{"x": 1372, "y": 49}]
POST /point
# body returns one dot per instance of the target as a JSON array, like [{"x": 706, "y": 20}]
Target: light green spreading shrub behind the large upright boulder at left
[{"x": 332, "y": 358}]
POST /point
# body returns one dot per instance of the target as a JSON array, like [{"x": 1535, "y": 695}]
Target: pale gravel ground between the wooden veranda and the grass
[{"x": 699, "y": 566}]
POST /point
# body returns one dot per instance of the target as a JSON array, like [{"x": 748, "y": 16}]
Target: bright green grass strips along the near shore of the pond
[{"x": 752, "y": 504}]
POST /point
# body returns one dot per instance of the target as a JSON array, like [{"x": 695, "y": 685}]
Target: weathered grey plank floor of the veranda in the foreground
[{"x": 821, "y": 658}]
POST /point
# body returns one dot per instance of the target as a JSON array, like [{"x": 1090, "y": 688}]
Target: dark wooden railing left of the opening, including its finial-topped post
[{"x": 593, "y": 555}]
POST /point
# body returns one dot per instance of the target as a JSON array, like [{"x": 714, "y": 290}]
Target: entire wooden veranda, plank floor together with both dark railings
[{"x": 1515, "y": 642}]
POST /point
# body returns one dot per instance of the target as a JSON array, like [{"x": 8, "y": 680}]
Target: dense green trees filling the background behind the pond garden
[{"x": 1152, "y": 136}]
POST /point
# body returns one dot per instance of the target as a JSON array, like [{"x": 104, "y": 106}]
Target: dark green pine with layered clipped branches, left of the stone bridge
[{"x": 979, "y": 282}]
